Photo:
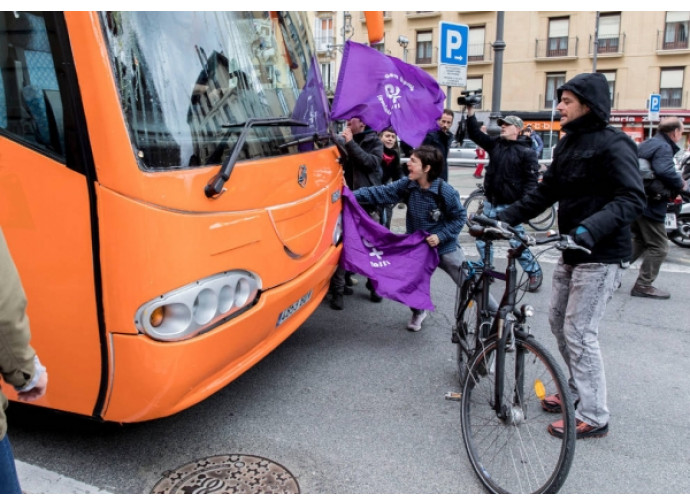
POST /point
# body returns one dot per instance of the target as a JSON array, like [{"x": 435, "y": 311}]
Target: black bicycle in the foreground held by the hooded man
[{"x": 509, "y": 373}]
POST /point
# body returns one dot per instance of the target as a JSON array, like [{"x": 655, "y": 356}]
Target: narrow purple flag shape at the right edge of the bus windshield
[{"x": 312, "y": 106}]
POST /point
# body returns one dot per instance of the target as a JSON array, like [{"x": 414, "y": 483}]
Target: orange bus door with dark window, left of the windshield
[{"x": 45, "y": 203}]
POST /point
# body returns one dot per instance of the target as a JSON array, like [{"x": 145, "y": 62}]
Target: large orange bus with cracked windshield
[{"x": 171, "y": 221}]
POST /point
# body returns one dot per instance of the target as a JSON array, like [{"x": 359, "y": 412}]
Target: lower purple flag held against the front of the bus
[{"x": 399, "y": 266}]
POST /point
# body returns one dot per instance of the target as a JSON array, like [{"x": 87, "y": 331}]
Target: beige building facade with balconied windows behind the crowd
[{"x": 640, "y": 53}]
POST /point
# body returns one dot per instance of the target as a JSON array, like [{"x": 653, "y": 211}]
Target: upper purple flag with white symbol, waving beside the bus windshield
[{"x": 385, "y": 91}]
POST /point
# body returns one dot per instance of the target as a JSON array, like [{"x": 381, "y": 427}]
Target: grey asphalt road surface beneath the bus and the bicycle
[{"x": 353, "y": 403}]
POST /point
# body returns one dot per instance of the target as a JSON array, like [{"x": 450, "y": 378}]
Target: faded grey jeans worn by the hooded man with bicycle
[{"x": 578, "y": 301}]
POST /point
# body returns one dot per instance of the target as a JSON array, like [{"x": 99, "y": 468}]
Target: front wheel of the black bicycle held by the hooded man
[{"x": 513, "y": 452}]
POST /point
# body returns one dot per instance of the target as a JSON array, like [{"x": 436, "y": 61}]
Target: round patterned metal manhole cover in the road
[{"x": 227, "y": 474}]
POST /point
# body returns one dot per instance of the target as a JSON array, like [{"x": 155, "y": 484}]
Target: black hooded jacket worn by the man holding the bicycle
[{"x": 594, "y": 177}]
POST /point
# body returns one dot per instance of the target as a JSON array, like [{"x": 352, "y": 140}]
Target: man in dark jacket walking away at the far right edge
[{"x": 649, "y": 232}]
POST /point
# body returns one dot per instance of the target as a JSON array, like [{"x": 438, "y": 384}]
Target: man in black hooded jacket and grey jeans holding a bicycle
[{"x": 596, "y": 180}]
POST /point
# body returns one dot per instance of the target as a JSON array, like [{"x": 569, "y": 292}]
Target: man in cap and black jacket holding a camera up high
[{"x": 512, "y": 172}]
